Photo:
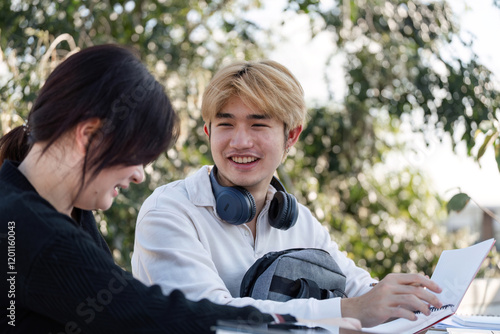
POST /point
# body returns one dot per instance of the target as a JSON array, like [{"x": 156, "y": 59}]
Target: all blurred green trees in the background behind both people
[{"x": 395, "y": 65}]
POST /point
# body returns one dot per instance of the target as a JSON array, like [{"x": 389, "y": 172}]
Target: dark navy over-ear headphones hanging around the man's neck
[{"x": 236, "y": 205}]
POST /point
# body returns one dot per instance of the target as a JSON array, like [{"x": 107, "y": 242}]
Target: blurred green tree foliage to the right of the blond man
[{"x": 401, "y": 61}]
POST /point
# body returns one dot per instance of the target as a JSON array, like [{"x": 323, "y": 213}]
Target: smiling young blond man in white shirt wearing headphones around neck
[{"x": 185, "y": 239}]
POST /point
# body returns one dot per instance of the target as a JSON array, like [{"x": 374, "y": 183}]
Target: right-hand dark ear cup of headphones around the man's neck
[{"x": 283, "y": 211}]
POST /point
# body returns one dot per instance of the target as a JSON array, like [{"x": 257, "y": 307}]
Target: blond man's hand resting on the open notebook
[{"x": 396, "y": 296}]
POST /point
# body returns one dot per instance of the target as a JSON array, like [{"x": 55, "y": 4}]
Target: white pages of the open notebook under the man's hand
[{"x": 454, "y": 272}]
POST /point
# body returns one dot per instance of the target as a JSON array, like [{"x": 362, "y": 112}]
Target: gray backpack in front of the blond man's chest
[{"x": 294, "y": 273}]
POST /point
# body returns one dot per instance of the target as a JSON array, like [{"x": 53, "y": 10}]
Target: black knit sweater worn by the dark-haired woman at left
[{"x": 58, "y": 276}]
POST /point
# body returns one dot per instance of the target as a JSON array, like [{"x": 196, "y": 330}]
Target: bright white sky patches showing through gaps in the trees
[{"x": 446, "y": 170}]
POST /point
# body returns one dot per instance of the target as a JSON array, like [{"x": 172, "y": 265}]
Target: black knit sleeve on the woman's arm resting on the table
[{"x": 77, "y": 285}]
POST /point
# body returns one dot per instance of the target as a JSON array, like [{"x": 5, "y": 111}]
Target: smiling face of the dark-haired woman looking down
[{"x": 101, "y": 191}]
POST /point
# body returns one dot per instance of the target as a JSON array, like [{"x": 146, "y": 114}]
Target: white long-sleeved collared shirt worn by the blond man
[{"x": 181, "y": 243}]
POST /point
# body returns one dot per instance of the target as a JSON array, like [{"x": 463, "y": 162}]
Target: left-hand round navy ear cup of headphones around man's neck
[{"x": 235, "y": 205}]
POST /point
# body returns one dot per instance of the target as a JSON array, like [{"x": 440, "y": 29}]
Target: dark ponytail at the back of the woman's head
[{"x": 14, "y": 145}]
